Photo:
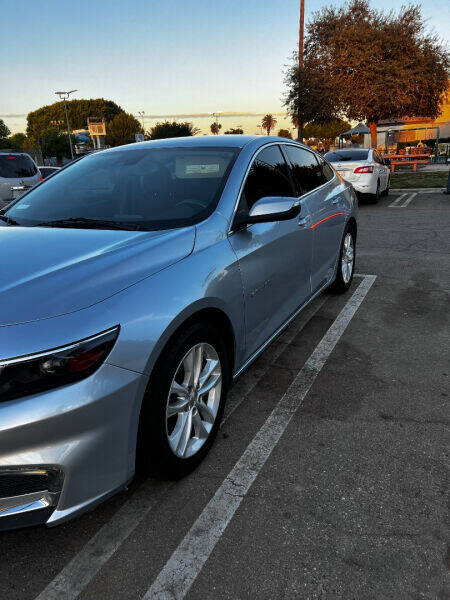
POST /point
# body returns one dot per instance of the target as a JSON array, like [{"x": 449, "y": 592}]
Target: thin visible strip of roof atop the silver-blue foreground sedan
[{"x": 204, "y": 141}]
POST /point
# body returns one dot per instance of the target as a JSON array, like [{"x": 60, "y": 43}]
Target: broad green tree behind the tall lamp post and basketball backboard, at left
[{"x": 79, "y": 110}]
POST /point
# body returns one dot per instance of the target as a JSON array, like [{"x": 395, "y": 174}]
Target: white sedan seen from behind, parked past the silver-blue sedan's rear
[{"x": 364, "y": 168}]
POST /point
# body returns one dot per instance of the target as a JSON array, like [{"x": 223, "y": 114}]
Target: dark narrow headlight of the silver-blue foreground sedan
[{"x": 33, "y": 373}]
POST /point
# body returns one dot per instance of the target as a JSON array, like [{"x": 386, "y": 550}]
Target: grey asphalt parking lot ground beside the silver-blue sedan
[{"x": 329, "y": 476}]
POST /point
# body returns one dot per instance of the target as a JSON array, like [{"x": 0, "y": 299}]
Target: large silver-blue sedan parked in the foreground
[{"x": 138, "y": 284}]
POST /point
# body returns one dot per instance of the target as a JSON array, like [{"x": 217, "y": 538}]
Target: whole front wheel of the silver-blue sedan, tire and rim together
[{"x": 184, "y": 403}]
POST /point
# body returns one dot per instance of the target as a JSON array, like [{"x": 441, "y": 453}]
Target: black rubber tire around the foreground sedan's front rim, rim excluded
[{"x": 154, "y": 454}]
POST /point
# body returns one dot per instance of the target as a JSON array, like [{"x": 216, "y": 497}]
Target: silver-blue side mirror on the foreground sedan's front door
[{"x": 268, "y": 210}]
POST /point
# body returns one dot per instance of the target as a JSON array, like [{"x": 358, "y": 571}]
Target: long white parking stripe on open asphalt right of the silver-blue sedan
[{"x": 183, "y": 567}]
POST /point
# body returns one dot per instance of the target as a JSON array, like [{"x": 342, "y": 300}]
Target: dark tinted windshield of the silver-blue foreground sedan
[{"x": 143, "y": 188}]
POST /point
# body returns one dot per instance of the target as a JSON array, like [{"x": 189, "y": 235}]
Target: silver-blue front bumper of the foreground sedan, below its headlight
[{"x": 79, "y": 439}]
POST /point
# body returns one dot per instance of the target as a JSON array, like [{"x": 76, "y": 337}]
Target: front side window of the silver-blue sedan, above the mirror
[{"x": 268, "y": 176}]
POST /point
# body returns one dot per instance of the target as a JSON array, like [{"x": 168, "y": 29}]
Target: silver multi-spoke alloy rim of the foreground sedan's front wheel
[{"x": 193, "y": 400}]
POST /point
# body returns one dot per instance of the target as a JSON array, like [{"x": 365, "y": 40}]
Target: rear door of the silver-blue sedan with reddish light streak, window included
[{"x": 322, "y": 193}]
